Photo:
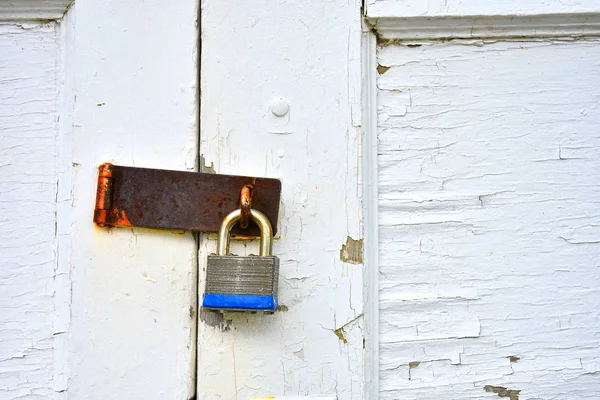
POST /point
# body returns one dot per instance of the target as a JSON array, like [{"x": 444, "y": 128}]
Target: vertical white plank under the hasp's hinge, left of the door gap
[{"x": 133, "y": 83}]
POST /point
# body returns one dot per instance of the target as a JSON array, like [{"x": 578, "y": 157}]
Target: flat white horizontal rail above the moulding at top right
[{"x": 435, "y": 8}]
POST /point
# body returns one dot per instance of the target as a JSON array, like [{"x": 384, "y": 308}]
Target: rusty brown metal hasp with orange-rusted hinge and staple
[{"x": 164, "y": 199}]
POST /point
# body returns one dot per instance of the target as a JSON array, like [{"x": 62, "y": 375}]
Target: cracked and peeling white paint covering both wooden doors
[{"x": 485, "y": 195}]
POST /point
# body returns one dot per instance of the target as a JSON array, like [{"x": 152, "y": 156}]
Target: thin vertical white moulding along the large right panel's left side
[{"x": 370, "y": 211}]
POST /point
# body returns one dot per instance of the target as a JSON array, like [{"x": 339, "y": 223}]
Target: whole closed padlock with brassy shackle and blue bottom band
[{"x": 237, "y": 283}]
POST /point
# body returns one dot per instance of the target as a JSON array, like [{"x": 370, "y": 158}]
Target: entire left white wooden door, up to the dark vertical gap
[{"x": 88, "y": 312}]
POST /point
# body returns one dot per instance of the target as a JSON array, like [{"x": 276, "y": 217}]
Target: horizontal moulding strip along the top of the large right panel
[{"x": 488, "y": 26}]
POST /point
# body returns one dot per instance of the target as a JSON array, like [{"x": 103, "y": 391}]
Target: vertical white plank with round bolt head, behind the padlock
[{"x": 307, "y": 53}]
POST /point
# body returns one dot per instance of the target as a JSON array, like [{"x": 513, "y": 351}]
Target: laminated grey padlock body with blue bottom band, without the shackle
[{"x": 236, "y": 283}]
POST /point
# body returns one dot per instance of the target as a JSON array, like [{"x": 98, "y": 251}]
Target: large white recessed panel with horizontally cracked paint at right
[{"x": 489, "y": 213}]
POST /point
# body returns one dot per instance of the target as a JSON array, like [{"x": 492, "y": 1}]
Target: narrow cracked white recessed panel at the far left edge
[{"x": 28, "y": 125}]
